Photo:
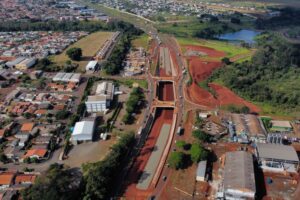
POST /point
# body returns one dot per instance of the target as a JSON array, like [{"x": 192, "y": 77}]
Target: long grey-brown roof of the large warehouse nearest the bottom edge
[{"x": 239, "y": 171}]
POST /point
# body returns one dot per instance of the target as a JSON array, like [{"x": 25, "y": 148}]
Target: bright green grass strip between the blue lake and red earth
[{"x": 230, "y": 49}]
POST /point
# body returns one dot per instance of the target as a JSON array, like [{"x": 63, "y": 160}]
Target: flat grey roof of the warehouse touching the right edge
[{"x": 277, "y": 151}]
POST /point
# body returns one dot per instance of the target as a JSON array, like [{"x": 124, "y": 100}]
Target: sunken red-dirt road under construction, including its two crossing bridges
[{"x": 148, "y": 168}]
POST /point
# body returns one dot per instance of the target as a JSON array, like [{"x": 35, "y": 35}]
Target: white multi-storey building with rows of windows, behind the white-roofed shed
[{"x": 100, "y": 102}]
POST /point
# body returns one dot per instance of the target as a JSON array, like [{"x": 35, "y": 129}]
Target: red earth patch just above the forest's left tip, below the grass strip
[{"x": 200, "y": 70}]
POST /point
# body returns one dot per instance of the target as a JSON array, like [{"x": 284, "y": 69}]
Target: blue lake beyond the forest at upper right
[{"x": 242, "y": 35}]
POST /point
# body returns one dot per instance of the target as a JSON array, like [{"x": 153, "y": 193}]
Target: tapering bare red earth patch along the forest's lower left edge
[{"x": 226, "y": 97}]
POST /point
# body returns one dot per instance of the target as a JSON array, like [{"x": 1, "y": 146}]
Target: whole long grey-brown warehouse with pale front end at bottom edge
[{"x": 239, "y": 179}]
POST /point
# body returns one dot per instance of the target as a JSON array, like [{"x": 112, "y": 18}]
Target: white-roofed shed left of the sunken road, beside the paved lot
[{"x": 83, "y": 131}]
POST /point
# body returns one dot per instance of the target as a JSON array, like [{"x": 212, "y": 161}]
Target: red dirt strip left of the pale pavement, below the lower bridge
[{"x": 163, "y": 116}]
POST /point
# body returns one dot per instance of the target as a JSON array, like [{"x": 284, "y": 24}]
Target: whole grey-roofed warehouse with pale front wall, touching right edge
[{"x": 277, "y": 157}]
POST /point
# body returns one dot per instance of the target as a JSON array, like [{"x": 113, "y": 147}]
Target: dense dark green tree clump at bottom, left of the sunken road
[{"x": 101, "y": 178}]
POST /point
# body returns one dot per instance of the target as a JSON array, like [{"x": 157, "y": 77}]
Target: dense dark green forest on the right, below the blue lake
[{"x": 266, "y": 77}]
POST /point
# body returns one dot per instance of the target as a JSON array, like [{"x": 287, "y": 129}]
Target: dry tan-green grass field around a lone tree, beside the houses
[{"x": 89, "y": 45}]
